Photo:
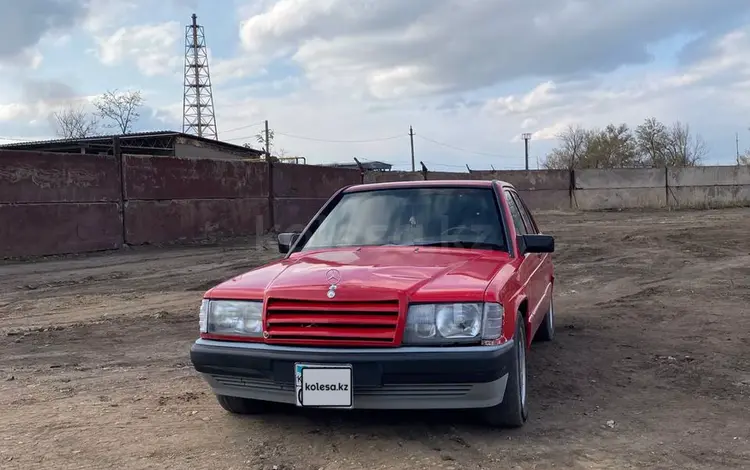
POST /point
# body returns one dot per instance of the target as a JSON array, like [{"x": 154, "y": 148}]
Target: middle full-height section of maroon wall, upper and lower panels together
[{"x": 173, "y": 199}]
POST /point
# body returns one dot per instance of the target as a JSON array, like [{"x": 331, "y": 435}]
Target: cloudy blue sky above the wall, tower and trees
[{"x": 346, "y": 78}]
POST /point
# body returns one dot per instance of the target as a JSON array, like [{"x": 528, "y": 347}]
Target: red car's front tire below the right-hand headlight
[{"x": 512, "y": 412}]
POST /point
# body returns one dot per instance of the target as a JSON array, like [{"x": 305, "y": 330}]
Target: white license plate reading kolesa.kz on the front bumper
[{"x": 324, "y": 385}]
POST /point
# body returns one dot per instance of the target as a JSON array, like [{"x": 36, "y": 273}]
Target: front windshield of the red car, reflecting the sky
[{"x": 438, "y": 216}]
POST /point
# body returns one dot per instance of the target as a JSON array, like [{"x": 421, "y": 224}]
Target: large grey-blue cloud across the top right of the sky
[{"x": 393, "y": 48}]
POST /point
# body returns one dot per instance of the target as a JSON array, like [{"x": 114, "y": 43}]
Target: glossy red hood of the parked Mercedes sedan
[{"x": 372, "y": 273}]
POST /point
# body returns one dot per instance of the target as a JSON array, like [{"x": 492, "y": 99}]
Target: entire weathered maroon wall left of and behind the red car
[{"x": 69, "y": 203}]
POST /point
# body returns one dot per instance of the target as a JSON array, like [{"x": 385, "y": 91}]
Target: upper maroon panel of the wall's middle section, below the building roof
[{"x": 161, "y": 178}]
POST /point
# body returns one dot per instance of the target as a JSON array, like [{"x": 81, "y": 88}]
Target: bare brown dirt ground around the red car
[{"x": 650, "y": 368}]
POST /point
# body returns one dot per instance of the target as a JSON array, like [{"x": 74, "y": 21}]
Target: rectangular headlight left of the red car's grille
[{"x": 232, "y": 317}]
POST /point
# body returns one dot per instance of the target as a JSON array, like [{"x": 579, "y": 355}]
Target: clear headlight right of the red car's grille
[{"x": 453, "y": 323}]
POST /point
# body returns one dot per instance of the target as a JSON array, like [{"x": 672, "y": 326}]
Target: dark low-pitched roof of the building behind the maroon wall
[{"x": 154, "y": 141}]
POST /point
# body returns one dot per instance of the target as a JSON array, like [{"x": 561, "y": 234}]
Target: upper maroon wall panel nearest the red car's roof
[{"x": 291, "y": 180}]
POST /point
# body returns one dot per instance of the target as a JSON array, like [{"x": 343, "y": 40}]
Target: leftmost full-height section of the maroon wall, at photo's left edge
[{"x": 58, "y": 203}]
